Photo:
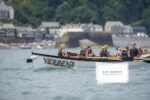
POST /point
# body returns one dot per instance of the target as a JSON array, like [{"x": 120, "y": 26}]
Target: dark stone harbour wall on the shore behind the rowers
[{"x": 72, "y": 39}]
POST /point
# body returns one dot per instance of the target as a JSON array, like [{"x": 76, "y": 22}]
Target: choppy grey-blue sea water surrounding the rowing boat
[{"x": 19, "y": 81}]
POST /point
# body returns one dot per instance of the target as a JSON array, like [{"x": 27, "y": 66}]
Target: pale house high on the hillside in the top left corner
[{"x": 6, "y": 12}]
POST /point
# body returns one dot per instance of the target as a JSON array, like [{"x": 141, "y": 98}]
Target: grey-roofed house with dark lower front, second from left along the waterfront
[{"x": 25, "y": 33}]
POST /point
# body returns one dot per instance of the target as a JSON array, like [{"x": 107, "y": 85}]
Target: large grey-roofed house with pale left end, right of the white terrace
[{"x": 114, "y": 27}]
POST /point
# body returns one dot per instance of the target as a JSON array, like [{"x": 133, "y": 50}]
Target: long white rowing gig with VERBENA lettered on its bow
[{"x": 69, "y": 62}]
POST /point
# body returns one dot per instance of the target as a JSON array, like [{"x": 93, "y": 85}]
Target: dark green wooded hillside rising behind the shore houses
[{"x": 134, "y": 12}]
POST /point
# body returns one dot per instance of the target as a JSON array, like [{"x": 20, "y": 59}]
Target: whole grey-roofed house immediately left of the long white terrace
[{"x": 48, "y": 29}]
